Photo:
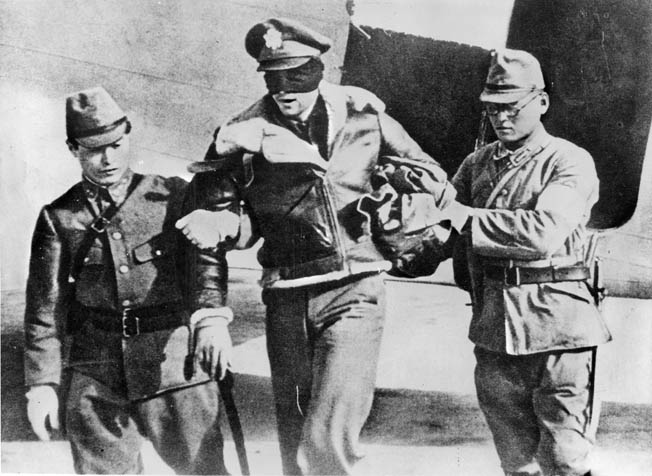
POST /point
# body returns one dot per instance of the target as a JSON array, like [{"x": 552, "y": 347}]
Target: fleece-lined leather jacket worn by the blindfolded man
[{"x": 307, "y": 216}]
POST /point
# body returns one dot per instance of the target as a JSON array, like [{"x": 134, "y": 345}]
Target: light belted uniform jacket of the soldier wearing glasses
[{"x": 536, "y": 218}]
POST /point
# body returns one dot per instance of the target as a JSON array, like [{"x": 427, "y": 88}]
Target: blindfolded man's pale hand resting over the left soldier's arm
[{"x": 206, "y": 229}]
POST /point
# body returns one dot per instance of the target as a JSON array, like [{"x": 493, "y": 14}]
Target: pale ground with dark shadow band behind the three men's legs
[{"x": 425, "y": 418}]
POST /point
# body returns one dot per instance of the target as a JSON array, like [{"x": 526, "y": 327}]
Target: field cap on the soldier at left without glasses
[{"x": 94, "y": 119}]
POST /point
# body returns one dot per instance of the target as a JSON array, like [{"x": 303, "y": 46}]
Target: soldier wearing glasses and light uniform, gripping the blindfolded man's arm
[{"x": 535, "y": 325}]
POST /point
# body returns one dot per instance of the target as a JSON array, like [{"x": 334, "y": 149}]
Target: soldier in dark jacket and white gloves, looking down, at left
[{"x": 108, "y": 274}]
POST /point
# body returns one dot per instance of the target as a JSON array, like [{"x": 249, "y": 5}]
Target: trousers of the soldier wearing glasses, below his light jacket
[{"x": 540, "y": 409}]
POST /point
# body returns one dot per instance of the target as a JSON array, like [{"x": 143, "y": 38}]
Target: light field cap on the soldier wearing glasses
[{"x": 513, "y": 74}]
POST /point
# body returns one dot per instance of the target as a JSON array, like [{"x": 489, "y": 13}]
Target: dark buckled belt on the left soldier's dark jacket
[{"x": 134, "y": 321}]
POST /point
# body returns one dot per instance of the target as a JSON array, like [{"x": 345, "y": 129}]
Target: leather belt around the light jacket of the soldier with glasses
[{"x": 515, "y": 276}]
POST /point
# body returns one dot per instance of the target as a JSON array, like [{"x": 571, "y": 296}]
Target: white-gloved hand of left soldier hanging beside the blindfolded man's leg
[{"x": 213, "y": 350}]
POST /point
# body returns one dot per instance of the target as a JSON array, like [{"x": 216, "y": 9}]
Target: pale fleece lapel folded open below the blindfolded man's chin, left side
[{"x": 280, "y": 146}]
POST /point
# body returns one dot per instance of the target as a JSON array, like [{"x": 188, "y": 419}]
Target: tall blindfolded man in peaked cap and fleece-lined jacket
[{"x": 300, "y": 158}]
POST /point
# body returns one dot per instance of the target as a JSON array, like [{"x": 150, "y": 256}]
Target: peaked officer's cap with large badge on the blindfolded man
[{"x": 281, "y": 43}]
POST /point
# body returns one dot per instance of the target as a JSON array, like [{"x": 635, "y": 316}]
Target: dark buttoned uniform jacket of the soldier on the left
[{"x": 140, "y": 261}]
